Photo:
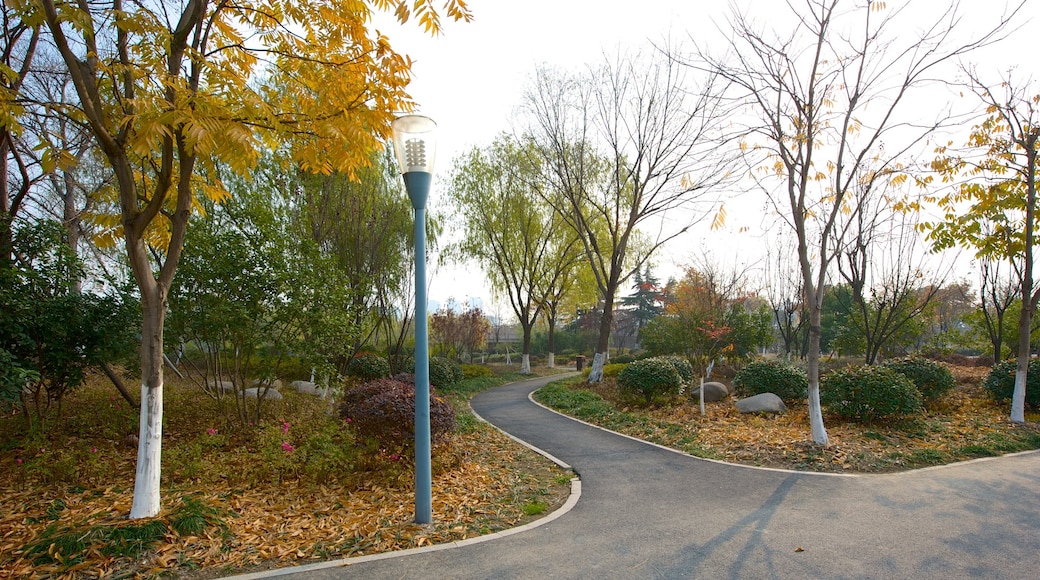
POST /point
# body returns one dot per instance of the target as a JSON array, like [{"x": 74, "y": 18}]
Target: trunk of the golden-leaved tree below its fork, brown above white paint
[{"x": 146, "y": 491}]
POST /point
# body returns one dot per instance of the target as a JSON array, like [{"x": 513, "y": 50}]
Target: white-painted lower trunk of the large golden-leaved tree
[{"x": 146, "y": 490}]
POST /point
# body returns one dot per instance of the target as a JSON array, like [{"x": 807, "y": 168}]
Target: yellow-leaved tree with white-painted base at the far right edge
[{"x": 994, "y": 210}]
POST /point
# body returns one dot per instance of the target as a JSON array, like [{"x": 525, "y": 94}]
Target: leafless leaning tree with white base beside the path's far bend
[{"x": 629, "y": 145}]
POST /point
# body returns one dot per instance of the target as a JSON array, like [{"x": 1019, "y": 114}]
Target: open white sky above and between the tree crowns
[{"x": 471, "y": 81}]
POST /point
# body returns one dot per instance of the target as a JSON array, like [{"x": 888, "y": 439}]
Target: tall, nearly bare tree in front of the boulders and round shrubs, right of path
[{"x": 822, "y": 94}]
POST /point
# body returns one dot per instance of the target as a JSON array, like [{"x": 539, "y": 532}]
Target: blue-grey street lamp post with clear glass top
[{"x": 415, "y": 148}]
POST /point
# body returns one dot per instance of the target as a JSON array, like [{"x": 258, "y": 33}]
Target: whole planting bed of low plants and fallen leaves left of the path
[{"x": 298, "y": 488}]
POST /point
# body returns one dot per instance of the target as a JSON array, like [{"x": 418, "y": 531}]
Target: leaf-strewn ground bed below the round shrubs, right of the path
[{"x": 965, "y": 424}]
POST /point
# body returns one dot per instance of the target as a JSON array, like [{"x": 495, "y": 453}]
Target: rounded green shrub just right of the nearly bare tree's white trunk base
[{"x": 869, "y": 393}]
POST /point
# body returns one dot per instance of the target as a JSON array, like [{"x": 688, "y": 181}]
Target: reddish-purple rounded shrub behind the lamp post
[{"x": 384, "y": 410}]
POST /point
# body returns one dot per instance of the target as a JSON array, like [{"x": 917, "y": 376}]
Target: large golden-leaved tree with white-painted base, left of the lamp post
[{"x": 170, "y": 91}]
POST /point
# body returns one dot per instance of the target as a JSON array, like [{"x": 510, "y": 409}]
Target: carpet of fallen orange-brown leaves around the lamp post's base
[{"x": 272, "y": 526}]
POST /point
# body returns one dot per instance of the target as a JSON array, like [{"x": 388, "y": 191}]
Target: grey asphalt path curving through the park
[{"x": 649, "y": 513}]
